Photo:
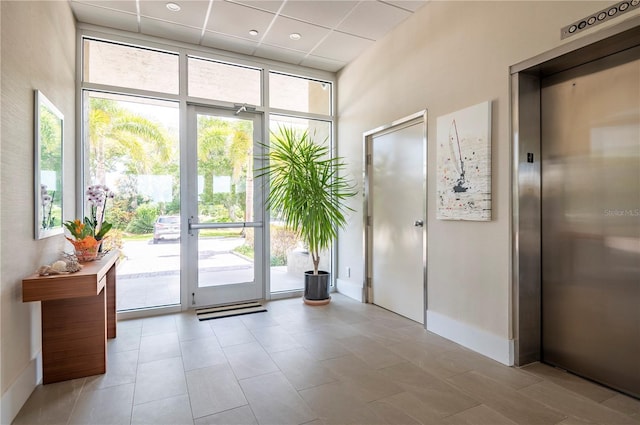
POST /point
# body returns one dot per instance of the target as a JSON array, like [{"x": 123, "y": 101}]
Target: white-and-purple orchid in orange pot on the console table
[{"x": 94, "y": 225}]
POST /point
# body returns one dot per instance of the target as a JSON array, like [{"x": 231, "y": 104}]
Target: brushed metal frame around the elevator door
[{"x": 526, "y": 177}]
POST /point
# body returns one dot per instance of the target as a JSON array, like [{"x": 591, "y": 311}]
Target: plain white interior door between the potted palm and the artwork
[{"x": 396, "y": 203}]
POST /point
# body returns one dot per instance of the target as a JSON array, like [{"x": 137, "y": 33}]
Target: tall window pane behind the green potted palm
[{"x": 289, "y": 257}]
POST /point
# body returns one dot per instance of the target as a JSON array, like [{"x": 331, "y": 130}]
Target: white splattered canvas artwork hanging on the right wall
[{"x": 464, "y": 164}]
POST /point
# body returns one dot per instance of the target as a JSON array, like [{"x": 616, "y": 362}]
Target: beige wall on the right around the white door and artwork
[{"x": 447, "y": 56}]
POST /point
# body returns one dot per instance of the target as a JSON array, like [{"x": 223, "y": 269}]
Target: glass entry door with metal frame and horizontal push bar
[{"x": 224, "y": 209}]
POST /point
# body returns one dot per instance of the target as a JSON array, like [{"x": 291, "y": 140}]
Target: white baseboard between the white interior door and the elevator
[{"x": 488, "y": 344}]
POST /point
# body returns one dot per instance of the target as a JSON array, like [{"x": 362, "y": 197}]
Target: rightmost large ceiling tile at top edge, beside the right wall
[{"x": 373, "y": 19}]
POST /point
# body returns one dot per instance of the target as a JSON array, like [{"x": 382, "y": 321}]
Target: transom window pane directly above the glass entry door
[{"x": 220, "y": 81}]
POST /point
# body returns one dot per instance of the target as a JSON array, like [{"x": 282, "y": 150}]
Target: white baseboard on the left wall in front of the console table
[{"x": 18, "y": 393}]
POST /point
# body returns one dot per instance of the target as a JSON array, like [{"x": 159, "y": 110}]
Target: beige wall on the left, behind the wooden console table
[{"x": 38, "y": 52}]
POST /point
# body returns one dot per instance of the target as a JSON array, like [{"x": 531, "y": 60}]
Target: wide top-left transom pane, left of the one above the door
[{"x": 126, "y": 66}]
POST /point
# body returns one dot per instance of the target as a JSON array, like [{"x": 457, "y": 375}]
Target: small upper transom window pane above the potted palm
[{"x": 299, "y": 94}]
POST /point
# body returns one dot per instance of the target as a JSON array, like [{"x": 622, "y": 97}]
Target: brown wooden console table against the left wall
[{"x": 78, "y": 315}]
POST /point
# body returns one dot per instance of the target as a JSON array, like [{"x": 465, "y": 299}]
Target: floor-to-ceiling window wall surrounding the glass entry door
[{"x": 134, "y": 99}]
